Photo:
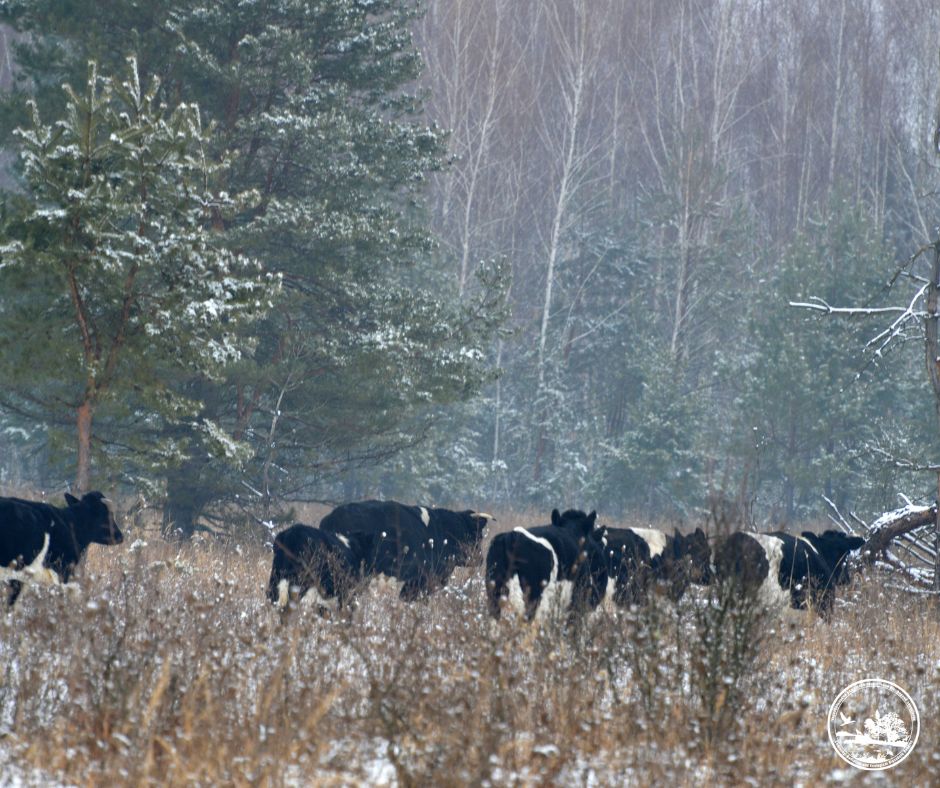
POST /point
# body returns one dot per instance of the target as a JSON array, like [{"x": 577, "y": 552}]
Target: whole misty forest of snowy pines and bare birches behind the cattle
[{"x": 468, "y": 253}]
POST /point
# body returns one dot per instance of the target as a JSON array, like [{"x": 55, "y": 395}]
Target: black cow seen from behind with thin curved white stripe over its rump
[{"x": 548, "y": 569}]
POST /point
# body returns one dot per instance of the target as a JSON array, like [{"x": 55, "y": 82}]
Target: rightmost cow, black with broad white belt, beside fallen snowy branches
[{"x": 784, "y": 570}]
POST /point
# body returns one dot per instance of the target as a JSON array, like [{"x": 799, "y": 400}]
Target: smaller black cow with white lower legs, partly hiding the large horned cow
[{"x": 310, "y": 559}]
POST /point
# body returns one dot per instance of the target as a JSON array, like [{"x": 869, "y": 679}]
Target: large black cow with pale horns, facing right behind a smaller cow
[{"x": 419, "y": 546}]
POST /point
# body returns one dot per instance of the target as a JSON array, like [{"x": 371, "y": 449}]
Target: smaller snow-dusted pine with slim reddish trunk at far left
[{"x": 112, "y": 280}]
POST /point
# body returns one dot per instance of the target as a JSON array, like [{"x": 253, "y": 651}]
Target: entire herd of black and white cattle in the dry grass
[{"x": 572, "y": 564}]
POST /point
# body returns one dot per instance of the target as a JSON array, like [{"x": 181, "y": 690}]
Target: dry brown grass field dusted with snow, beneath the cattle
[{"x": 169, "y": 667}]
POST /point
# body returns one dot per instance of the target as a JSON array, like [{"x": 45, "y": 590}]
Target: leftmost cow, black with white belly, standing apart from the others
[{"x": 44, "y": 543}]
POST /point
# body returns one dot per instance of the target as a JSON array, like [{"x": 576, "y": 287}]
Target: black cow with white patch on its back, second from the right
[{"x": 637, "y": 557}]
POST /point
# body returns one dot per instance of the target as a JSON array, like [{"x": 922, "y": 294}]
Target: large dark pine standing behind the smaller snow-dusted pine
[{"x": 312, "y": 103}]
